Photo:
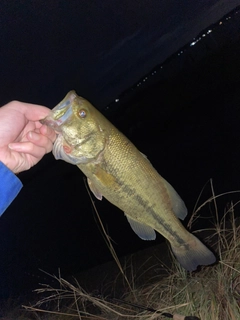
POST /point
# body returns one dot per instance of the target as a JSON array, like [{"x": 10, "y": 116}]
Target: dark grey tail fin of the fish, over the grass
[{"x": 192, "y": 254}]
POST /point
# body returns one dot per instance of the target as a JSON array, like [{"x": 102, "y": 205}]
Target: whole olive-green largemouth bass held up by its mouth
[{"x": 118, "y": 171}]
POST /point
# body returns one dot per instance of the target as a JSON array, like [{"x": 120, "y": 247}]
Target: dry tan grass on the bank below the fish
[{"x": 208, "y": 294}]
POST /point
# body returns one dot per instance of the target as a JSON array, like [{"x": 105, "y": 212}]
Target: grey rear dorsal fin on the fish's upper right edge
[{"x": 178, "y": 205}]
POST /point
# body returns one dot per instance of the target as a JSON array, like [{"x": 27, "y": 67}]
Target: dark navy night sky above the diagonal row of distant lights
[{"x": 98, "y": 48}]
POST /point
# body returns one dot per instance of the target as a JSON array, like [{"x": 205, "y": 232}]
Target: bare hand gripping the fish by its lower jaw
[{"x": 23, "y": 139}]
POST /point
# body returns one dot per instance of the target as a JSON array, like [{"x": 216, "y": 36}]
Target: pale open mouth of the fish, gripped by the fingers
[{"x": 61, "y": 113}]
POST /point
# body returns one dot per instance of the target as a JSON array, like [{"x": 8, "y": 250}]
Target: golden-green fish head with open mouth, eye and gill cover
[{"x": 80, "y": 136}]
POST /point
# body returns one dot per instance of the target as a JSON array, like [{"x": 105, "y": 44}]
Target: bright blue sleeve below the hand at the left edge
[{"x": 10, "y": 186}]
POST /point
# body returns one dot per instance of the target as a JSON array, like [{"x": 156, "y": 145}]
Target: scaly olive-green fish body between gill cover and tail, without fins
[{"x": 126, "y": 178}]
